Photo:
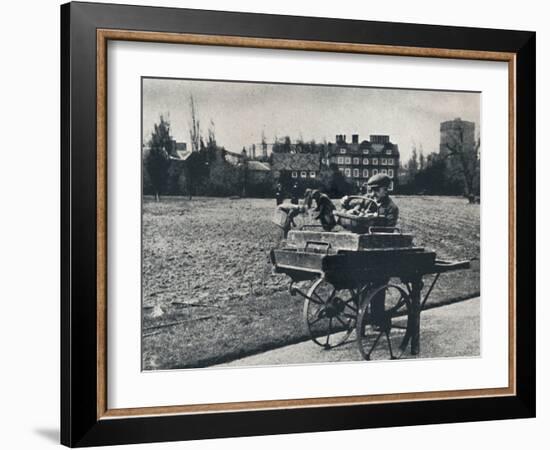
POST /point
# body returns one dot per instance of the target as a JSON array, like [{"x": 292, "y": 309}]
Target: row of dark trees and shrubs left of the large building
[{"x": 206, "y": 171}]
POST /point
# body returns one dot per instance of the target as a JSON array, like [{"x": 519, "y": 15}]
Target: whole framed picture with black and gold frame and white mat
[{"x": 277, "y": 224}]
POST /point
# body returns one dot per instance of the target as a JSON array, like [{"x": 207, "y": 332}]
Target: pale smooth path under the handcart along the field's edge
[{"x": 446, "y": 331}]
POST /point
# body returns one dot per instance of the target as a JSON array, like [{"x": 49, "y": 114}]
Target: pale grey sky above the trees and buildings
[{"x": 242, "y": 111}]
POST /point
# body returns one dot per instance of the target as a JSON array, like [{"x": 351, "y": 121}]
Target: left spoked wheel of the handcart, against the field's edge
[{"x": 330, "y": 314}]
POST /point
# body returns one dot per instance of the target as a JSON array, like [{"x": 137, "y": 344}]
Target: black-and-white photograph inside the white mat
[{"x": 302, "y": 224}]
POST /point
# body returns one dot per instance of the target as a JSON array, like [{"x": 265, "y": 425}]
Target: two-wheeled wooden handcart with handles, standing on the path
[{"x": 369, "y": 283}]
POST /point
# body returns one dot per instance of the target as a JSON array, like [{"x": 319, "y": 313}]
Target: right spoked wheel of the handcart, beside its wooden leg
[{"x": 382, "y": 323}]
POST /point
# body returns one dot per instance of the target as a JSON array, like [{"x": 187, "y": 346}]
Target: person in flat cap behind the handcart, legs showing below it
[{"x": 387, "y": 216}]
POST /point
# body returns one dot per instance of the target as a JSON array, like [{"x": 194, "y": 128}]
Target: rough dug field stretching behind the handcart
[{"x": 208, "y": 292}]
